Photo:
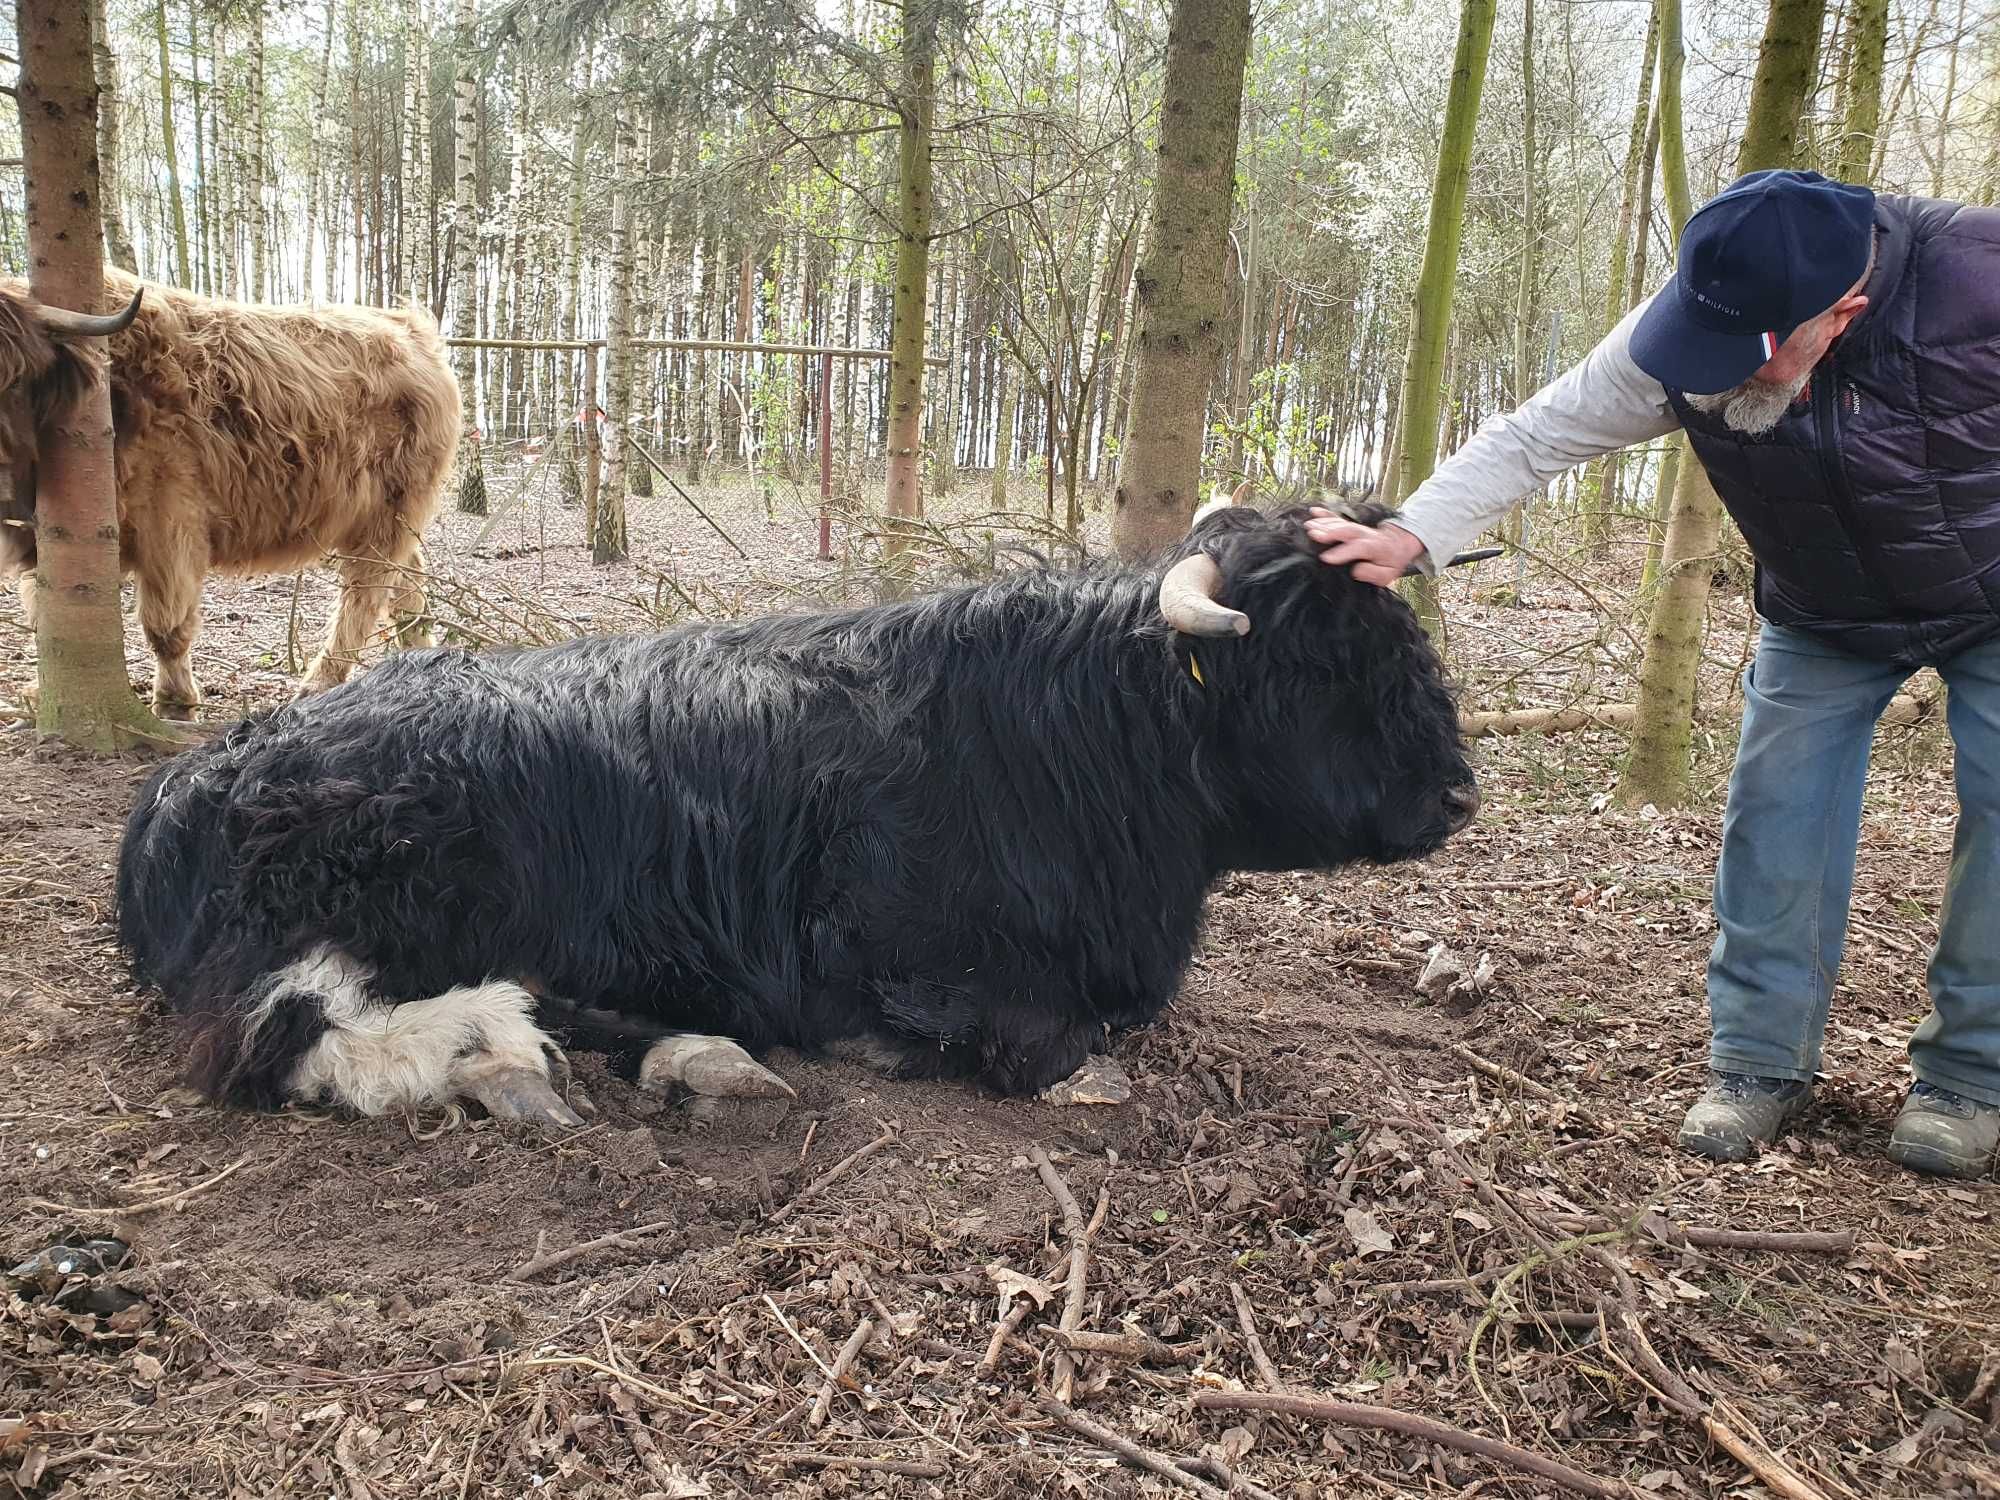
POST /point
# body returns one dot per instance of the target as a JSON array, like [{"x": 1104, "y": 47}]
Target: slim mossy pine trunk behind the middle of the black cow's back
[{"x": 905, "y": 499}]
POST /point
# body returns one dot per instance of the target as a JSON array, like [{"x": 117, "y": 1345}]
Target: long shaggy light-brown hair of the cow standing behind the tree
[{"x": 253, "y": 439}]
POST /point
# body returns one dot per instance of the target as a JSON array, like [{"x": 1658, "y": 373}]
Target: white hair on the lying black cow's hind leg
[{"x": 423, "y": 1053}]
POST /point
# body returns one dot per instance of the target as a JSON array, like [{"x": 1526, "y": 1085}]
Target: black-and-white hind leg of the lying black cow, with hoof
[{"x": 319, "y": 1033}]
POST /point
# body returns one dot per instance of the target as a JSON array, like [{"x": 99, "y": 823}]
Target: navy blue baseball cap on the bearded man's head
[{"x": 1759, "y": 259}]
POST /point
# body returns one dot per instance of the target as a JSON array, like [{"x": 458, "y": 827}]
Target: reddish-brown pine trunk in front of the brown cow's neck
[{"x": 83, "y": 689}]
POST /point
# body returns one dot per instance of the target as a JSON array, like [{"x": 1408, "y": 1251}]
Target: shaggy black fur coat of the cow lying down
[{"x": 977, "y": 823}]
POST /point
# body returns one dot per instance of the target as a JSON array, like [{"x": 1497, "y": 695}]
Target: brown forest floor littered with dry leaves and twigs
[{"x": 1319, "y": 1183}]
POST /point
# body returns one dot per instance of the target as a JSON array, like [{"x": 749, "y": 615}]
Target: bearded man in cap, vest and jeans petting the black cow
[{"x": 1835, "y": 361}]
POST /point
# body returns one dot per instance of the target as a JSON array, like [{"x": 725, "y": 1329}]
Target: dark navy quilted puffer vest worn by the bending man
[{"x": 1873, "y": 509}]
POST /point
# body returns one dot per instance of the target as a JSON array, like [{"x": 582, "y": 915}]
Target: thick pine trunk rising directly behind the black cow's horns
[{"x": 1181, "y": 295}]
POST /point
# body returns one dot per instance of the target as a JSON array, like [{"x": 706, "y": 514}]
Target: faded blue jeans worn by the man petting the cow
[{"x": 1787, "y": 865}]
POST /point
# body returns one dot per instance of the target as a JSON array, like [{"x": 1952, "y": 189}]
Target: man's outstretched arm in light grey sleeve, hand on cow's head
[{"x": 1597, "y": 407}]
